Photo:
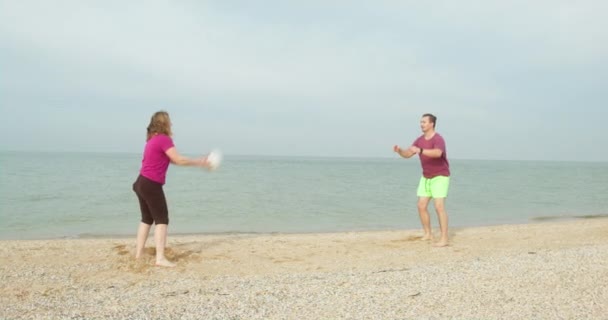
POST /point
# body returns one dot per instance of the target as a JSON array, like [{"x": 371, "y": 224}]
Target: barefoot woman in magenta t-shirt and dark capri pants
[{"x": 159, "y": 151}]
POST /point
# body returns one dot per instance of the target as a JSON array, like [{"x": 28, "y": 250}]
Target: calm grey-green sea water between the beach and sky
[{"x": 59, "y": 195}]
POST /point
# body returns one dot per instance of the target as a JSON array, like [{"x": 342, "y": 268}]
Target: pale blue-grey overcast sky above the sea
[{"x": 507, "y": 80}]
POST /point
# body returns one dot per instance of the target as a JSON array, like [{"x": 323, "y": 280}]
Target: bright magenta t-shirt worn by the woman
[{"x": 156, "y": 162}]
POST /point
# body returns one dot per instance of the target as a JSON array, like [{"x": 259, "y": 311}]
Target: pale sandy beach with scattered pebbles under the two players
[{"x": 548, "y": 270}]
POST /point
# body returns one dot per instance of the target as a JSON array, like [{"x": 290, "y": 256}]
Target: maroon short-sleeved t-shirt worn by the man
[{"x": 433, "y": 167}]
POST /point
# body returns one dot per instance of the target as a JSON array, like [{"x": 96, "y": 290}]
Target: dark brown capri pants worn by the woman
[{"x": 152, "y": 201}]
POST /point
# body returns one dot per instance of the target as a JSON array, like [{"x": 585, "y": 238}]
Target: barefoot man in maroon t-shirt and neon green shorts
[{"x": 435, "y": 180}]
